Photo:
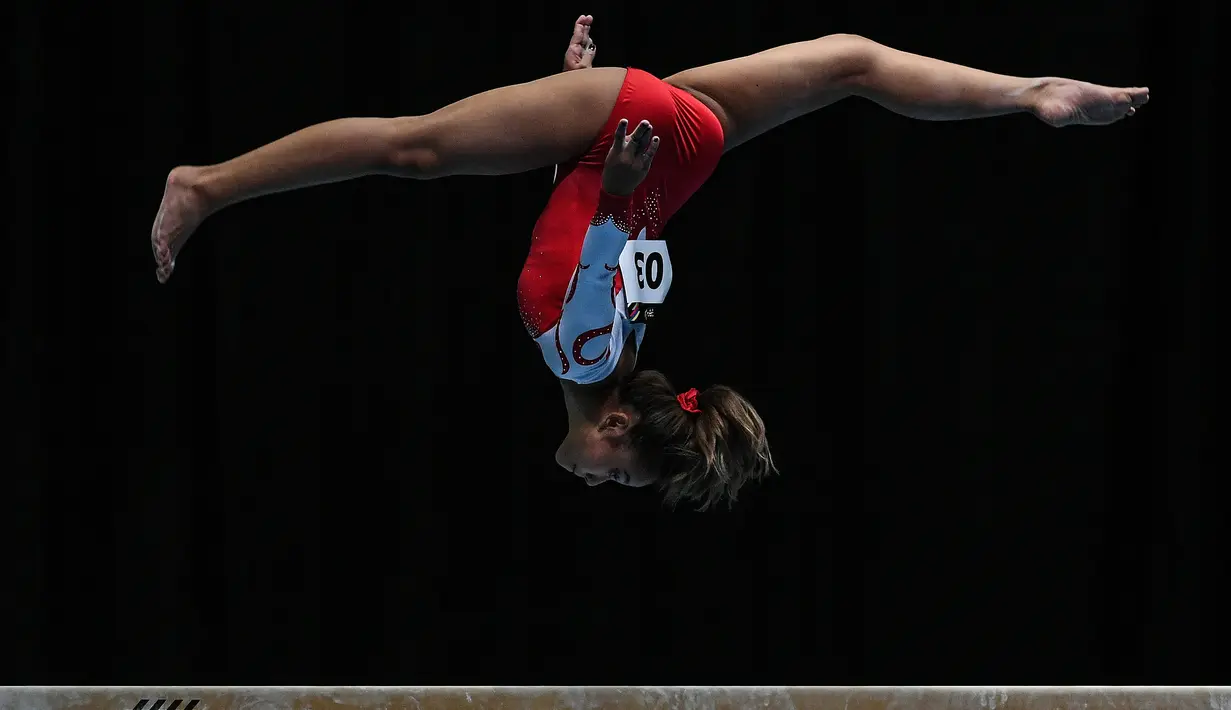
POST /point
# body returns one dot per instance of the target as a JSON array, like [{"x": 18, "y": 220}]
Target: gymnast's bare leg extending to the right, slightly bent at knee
[{"x": 754, "y": 94}]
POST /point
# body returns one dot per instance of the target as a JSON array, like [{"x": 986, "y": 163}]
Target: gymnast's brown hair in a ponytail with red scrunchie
[{"x": 699, "y": 457}]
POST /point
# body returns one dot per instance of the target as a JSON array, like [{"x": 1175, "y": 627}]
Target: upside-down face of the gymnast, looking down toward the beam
[{"x": 600, "y": 453}]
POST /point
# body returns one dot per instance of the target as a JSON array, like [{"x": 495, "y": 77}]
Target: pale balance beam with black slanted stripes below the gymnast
[{"x": 615, "y": 698}]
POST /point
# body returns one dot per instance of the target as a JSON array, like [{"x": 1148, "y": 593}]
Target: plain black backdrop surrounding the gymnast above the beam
[{"x": 323, "y": 455}]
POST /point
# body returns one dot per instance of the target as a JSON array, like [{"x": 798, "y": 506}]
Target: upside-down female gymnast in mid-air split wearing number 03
[{"x": 601, "y": 227}]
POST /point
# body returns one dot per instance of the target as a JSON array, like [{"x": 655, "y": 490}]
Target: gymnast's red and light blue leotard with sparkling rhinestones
[{"x": 572, "y": 306}]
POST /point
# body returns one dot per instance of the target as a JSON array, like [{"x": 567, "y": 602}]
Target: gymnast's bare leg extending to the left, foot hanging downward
[{"x": 500, "y": 132}]
